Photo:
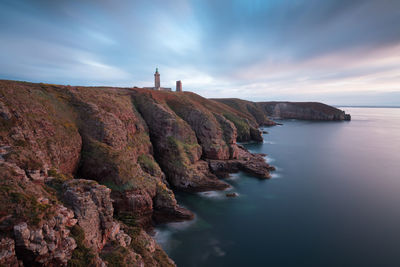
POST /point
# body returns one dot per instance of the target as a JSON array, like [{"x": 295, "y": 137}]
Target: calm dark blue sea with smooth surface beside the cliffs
[{"x": 333, "y": 201}]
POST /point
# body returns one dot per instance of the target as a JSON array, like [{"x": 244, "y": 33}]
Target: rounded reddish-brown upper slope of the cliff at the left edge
[{"x": 39, "y": 128}]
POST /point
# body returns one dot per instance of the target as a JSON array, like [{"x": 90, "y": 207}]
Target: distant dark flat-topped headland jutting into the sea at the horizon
[{"x": 262, "y": 111}]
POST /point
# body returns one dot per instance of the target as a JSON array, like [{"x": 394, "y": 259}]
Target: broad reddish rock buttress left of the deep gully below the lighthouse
[{"x": 117, "y": 152}]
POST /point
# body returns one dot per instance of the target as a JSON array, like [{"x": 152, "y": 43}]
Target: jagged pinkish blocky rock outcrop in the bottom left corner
[{"x": 34, "y": 220}]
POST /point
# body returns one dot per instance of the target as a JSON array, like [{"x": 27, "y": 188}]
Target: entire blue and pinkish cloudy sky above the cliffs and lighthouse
[{"x": 341, "y": 52}]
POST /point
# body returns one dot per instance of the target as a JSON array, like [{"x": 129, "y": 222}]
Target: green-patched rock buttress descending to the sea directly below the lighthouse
[{"x": 176, "y": 147}]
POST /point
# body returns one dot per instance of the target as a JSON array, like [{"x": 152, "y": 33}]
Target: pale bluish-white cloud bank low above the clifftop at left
[{"x": 56, "y": 62}]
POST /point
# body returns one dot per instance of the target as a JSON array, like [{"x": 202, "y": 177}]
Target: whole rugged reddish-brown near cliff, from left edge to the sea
[{"x": 85, "y": 170}]
